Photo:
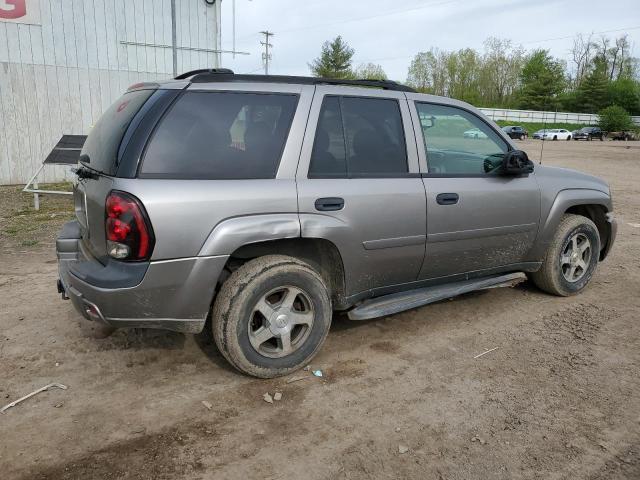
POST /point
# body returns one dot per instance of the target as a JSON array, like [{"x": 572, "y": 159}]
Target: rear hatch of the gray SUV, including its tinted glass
[{"x": 99, "y": 161}]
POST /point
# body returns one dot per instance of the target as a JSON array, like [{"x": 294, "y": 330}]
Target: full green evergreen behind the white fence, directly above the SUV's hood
[{"x": 541, "y": 80}]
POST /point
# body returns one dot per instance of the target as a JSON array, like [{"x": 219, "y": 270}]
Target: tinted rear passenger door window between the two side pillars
[{"x": 359, "y": 137}]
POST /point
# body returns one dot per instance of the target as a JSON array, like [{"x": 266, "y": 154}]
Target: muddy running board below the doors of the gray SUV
[{"x": 401, "y": 301}]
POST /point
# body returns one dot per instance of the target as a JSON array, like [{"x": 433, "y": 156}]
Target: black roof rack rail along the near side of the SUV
[{"x": 224, "y": 75}]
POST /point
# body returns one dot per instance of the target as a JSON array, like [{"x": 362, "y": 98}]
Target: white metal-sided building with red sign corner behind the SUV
[{"x": 63, "y": 62}]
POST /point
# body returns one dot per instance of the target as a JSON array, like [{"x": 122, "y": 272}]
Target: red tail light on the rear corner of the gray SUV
[{"x": 127, "y": 226}]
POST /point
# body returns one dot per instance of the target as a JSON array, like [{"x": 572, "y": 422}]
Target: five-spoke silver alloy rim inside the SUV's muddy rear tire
[{"x": 281, "y": 321}]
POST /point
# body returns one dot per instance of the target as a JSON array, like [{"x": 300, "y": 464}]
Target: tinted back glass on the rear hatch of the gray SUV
[{"x": 101, "y": 147}]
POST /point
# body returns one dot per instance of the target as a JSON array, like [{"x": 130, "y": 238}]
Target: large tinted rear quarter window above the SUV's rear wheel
[{"x": 220, "y": 135}]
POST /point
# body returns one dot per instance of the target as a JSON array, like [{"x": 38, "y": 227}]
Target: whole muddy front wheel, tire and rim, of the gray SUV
[{"x": 571, "y": 258}]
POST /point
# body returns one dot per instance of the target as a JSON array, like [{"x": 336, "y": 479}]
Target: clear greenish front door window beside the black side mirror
[{"x": 459, "y": 143}]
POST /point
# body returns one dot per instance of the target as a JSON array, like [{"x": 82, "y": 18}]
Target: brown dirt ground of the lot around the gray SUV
[{"x": 559, "y": 398}]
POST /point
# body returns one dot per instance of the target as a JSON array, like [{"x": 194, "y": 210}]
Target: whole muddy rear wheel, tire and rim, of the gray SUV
[{"x": 271, "y": 316}]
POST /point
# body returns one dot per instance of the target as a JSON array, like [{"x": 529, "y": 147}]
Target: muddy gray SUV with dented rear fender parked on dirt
[{"x": 265, "y": 203}]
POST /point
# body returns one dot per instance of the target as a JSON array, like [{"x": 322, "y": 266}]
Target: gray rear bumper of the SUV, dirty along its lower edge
[{"x": 168, "y": 294}]
